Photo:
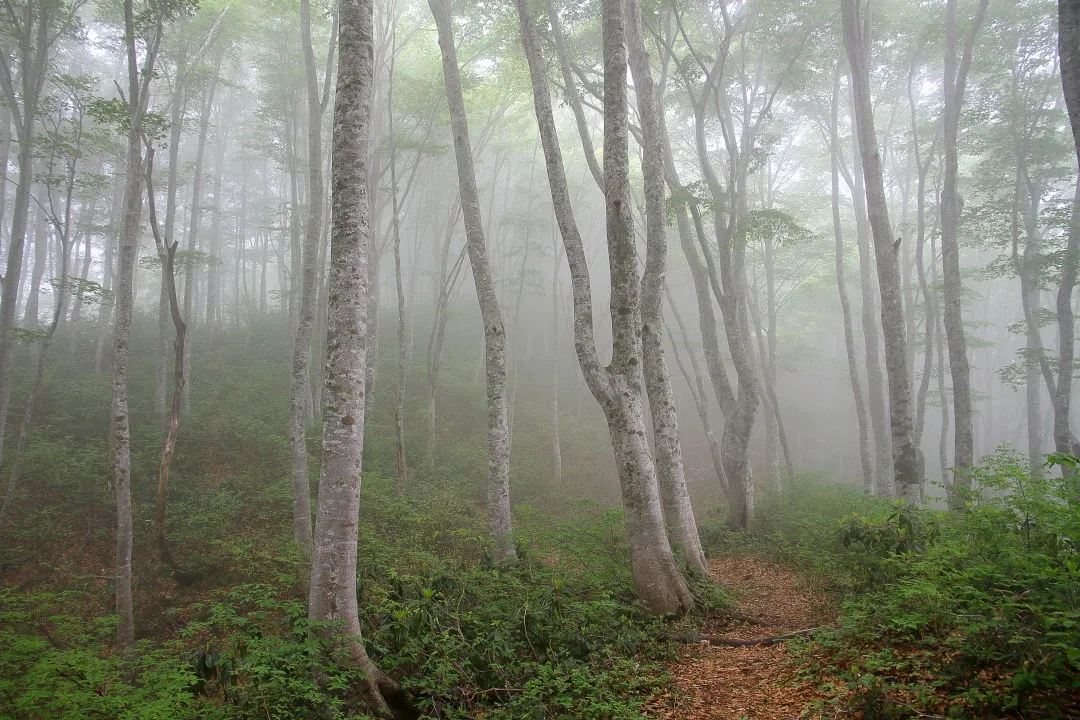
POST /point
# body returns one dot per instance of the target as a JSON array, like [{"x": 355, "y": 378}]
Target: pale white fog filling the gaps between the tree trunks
[{"x": 228, "y": 98}]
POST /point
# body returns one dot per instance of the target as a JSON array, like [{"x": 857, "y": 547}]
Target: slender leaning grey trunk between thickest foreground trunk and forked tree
[{"x": 495, "y": 335}]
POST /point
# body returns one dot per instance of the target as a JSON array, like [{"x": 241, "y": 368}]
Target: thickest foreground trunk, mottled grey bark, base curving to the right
[{"x": 332, "y": 599}]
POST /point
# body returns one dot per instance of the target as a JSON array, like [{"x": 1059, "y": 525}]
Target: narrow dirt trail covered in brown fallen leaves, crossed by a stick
[{"x": 753, "y": 683}]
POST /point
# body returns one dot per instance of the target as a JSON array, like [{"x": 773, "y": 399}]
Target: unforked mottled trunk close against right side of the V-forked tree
[{"x": 671, "y": 474}]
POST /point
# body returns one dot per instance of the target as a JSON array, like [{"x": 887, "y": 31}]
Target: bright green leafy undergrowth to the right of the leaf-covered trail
[{"x": 967, "y": 615}]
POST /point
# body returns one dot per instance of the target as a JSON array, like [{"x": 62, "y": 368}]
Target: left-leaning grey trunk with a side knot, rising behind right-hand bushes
[{"x": 906, "y": 464}]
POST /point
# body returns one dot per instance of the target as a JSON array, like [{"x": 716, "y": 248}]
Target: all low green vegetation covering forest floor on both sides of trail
[{"x": 940, "y": 615}]
